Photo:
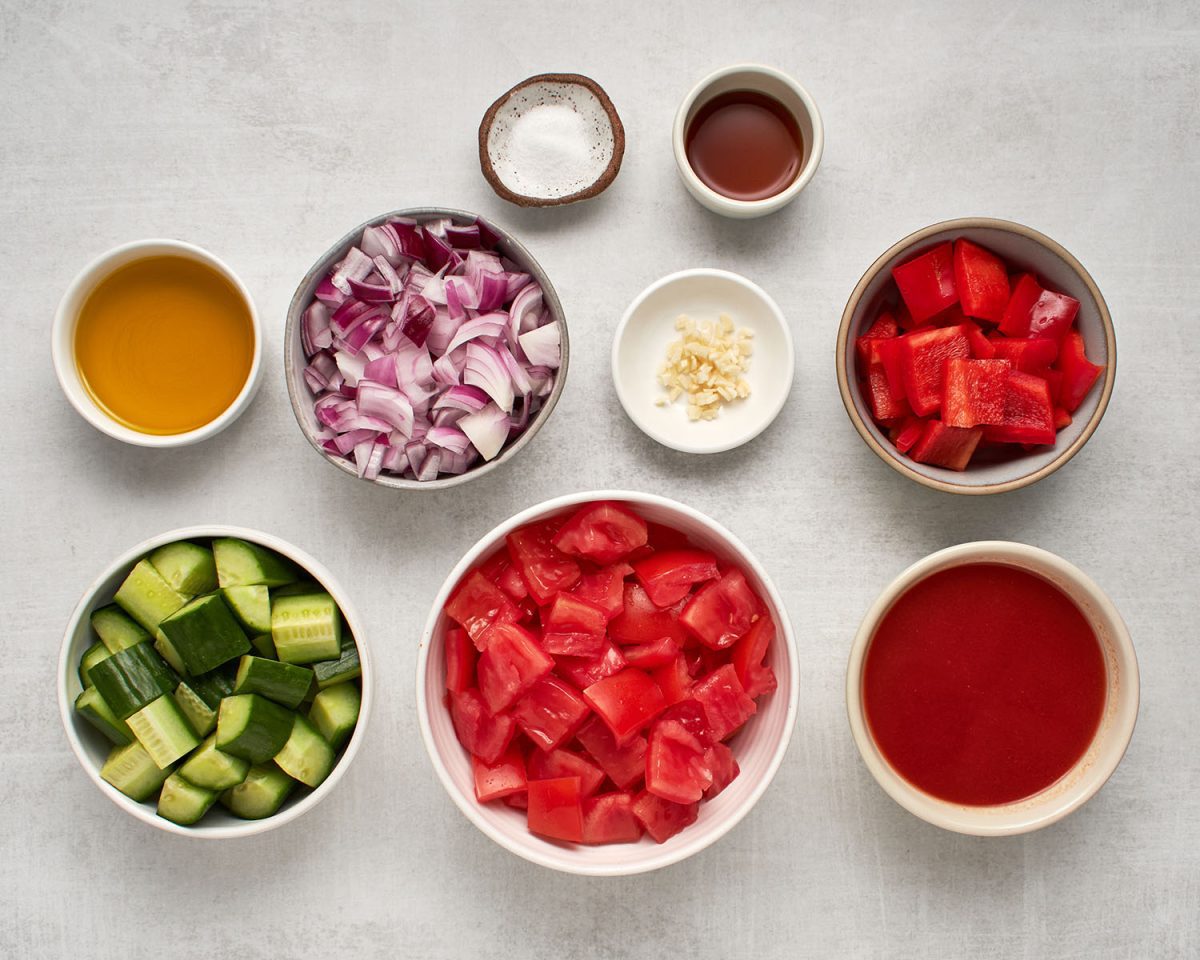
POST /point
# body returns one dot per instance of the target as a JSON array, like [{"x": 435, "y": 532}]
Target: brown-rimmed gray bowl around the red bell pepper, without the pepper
[{"x": 1022, "y": 248}]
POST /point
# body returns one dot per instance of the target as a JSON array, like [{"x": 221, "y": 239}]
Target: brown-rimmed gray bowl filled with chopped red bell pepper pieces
[{"x": 976, "y": 357}]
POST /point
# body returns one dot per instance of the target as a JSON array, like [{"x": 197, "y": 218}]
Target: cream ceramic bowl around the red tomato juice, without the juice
[{"x": 1089, "y": 775}]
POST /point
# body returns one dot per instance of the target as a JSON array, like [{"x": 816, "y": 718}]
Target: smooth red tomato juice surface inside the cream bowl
[{"x": 983, "y": 685}]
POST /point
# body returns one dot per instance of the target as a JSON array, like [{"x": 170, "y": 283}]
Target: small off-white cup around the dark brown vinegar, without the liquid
[{"x": 776, "y": 85}]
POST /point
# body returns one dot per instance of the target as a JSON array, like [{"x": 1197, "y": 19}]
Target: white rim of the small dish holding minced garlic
[{"x": 619, "y": 381}]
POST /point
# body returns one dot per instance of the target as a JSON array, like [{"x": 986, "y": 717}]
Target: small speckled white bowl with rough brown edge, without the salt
[{"x": 607, "y": 136}]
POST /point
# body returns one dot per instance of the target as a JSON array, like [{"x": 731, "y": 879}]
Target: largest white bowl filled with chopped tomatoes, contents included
[{"x": 608, "y": 683}]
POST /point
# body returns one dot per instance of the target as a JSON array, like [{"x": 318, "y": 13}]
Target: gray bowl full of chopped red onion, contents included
[{"x": 423, "y": 350}]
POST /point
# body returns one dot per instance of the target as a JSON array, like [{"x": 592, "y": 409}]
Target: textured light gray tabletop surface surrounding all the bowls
[{"x": 265, "y": 131}]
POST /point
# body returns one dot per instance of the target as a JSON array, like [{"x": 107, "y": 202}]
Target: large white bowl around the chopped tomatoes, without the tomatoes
[{"x": 759, "y": 748}]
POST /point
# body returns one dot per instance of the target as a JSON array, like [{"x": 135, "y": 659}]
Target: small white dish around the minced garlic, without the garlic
[{"x": 640, "y": 346}]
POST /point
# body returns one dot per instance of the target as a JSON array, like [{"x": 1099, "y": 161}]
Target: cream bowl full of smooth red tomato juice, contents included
[{"x": 993, "y": 689}]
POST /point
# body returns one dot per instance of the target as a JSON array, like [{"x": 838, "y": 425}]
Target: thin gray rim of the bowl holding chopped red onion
[{"x": 293, "y": 377}]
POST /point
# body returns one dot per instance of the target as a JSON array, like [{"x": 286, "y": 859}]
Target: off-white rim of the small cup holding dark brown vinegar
[{"x": 729, "y": 206}]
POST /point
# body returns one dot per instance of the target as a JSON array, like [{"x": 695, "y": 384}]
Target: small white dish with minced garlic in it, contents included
[{"x": 703, "y": 361}]
